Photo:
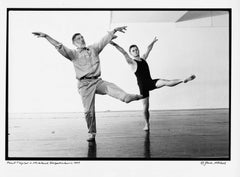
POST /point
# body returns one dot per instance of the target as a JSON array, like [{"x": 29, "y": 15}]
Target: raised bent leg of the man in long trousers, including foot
[{"x": 113, "y": 90}]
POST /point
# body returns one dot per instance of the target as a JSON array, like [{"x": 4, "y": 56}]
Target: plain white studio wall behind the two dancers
[{"x": 41, "y": 80}]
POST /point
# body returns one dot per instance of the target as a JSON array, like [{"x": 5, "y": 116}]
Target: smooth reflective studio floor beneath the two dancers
[{"x": 176, "y": 134}]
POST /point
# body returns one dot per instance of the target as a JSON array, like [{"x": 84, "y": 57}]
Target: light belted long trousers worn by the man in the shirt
[{"x": 88, "y": 88}]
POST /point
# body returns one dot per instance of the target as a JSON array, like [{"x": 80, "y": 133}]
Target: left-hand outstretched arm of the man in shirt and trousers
[{"x": 66, "y": 52}]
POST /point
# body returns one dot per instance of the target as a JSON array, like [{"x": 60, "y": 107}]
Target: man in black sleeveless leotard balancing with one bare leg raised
[{"x": 145, "y": 82}]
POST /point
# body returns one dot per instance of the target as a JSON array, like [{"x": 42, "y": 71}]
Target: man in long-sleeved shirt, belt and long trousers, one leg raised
[{"x": 87, "y": 67}]
